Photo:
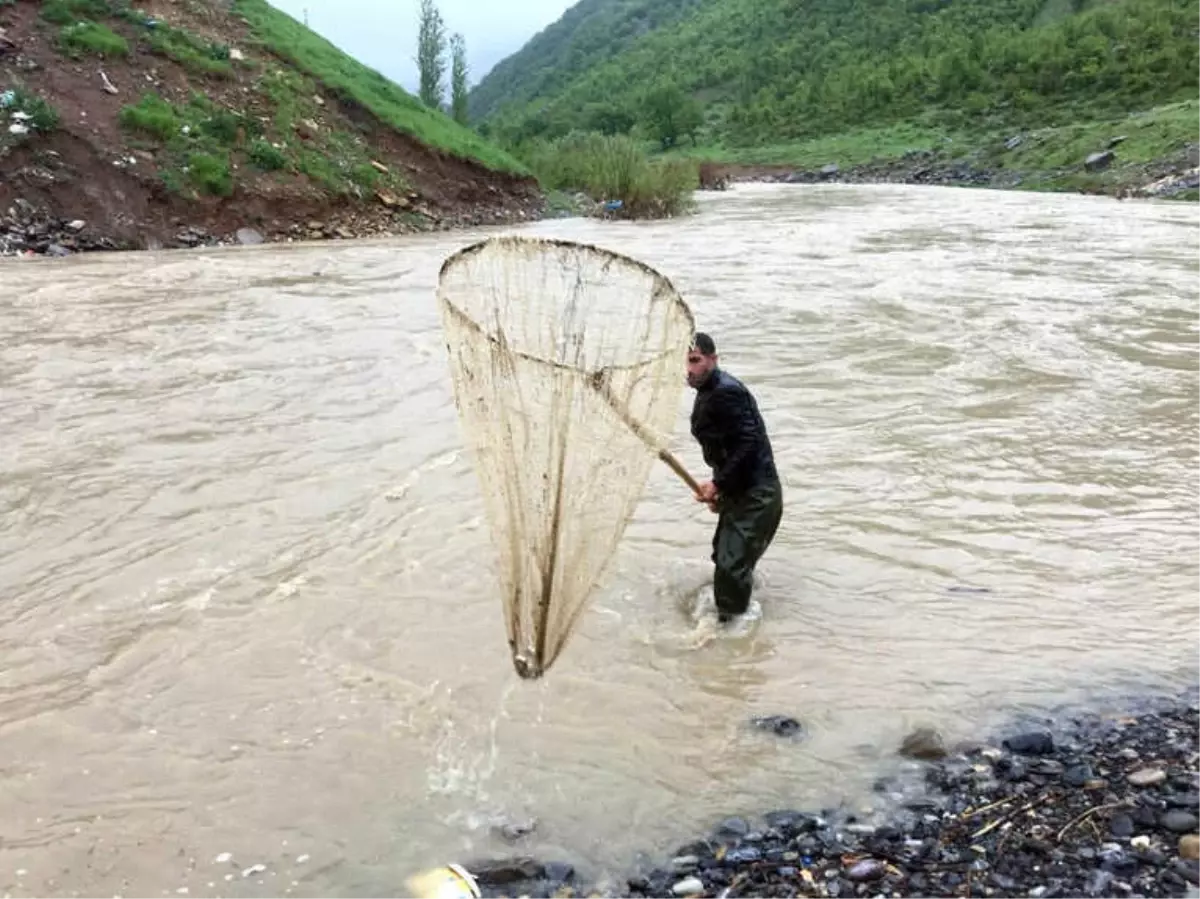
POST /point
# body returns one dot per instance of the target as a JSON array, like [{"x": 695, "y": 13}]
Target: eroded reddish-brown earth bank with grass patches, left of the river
[{"x": 220, "y": 115}]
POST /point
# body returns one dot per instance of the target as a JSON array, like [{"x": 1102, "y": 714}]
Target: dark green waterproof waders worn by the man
[{"x": 746, "y": 526}]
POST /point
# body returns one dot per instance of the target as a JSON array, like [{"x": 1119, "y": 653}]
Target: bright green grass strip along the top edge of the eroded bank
[{"x": 391, "y": 104}]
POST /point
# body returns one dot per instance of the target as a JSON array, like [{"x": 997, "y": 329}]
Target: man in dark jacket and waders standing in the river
[{"x": 746, "y": 490}]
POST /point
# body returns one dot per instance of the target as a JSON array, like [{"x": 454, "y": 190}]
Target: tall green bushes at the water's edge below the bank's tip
[{"x": 616, "y": 169}]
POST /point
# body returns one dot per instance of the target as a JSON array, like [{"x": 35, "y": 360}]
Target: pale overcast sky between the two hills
[{"x": 383, "y": 35}]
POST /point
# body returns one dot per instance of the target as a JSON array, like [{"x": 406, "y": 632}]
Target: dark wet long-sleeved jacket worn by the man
[{"x": 727, "y": 423}]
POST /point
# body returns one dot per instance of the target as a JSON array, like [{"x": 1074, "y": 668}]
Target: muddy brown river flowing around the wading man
[{"x": 250, "y": 644}]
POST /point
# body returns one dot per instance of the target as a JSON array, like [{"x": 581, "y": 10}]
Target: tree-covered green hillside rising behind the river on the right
[{"x": 764, "y": 74}]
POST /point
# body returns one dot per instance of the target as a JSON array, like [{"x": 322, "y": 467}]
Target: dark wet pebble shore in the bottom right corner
[{"x": 1088, "y": 807}]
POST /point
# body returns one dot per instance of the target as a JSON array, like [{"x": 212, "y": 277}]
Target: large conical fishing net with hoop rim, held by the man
[{"x": 568, "y": 364}]
